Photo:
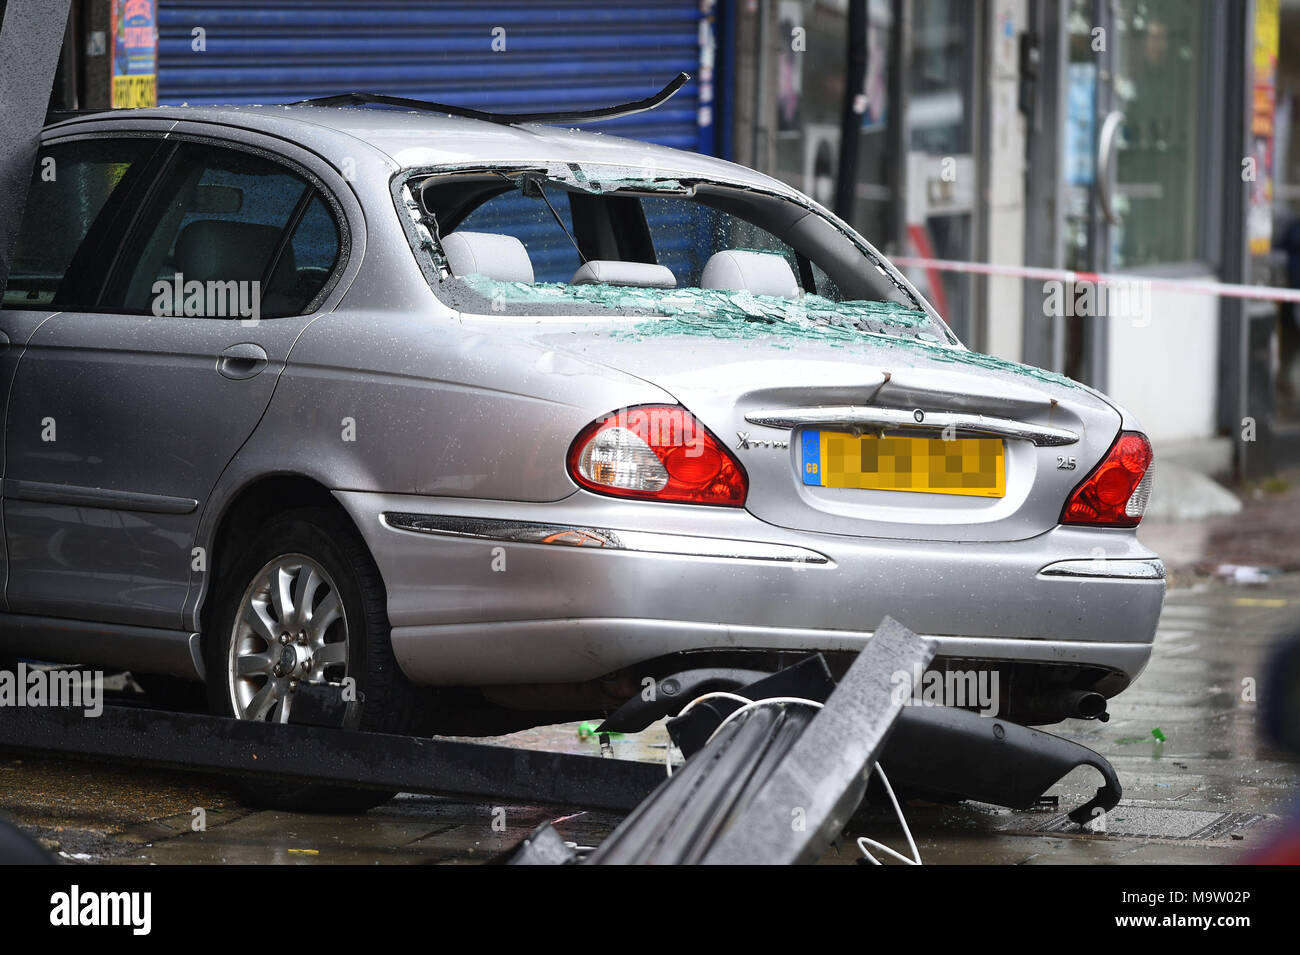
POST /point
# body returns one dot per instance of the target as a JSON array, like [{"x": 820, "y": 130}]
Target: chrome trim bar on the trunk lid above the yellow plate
[{"x": 856, "y": 416}]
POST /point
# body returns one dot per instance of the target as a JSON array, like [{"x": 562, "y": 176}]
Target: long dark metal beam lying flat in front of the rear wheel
[{"x": 317, "y": 754}]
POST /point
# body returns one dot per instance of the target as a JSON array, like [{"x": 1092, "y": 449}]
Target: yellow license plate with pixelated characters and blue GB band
[{"x": 974, "y": 467}]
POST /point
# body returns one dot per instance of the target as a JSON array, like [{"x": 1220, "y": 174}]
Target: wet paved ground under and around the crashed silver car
[{"x": 1210, "y": 792}]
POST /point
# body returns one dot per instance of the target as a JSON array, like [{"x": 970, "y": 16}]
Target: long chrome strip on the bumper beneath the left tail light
[{"x": 571, "y": 536}]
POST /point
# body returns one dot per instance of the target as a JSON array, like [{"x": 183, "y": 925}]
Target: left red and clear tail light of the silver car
[{"x": 657, "y": 453}]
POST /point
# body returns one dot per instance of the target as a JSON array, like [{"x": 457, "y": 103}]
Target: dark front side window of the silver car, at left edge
[{"x": 71, "y": 186}]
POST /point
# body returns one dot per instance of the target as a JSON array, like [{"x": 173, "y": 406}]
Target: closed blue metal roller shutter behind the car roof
[{"x": 558, "y": 55}]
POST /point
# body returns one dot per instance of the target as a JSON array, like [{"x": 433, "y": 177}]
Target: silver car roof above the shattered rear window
[{"x": 423, "y": 140}]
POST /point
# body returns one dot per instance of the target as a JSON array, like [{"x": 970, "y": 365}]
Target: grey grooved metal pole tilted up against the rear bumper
[{"x": 778, "y": 784}]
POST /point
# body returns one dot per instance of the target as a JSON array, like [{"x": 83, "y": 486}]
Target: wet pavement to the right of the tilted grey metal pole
[{"x": 1210, "y": 793}]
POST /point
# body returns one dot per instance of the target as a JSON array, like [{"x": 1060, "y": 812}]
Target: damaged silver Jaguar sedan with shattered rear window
[{"x": 489, "y": 424}]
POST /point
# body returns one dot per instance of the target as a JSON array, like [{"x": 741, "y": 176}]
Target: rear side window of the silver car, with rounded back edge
[{"x": 227, "y": 235}]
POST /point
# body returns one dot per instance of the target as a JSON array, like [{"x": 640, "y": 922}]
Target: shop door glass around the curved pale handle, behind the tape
[{"x": 1133, "y": 149}]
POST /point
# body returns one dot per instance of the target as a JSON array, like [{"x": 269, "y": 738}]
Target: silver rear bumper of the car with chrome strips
[{"x": 487, "y": 593}]
